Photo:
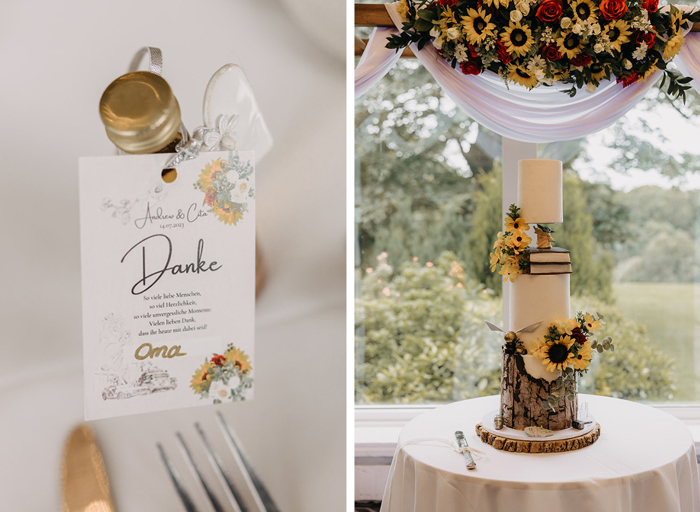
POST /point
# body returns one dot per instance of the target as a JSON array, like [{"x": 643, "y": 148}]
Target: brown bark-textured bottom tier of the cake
[{"x": 522, "y": 396}]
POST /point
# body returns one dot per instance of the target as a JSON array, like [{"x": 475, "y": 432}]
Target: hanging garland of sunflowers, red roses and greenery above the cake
[{"x": 538, "y": 42}]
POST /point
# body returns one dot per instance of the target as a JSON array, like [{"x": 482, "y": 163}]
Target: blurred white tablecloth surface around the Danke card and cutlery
[{"x": 57, "y": 58}]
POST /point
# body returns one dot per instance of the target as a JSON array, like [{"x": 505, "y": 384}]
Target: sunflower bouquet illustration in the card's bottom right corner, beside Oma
[{"x": 224, "y": 376}]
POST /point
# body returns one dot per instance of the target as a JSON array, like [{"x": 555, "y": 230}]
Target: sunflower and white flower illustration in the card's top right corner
[{"x": 226, "y": 187}]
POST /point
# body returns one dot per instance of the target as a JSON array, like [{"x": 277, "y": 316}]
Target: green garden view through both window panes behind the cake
[{"x": 428, "y": 188}]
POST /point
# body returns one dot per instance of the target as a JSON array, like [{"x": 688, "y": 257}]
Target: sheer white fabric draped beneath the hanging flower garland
[{"x": 544, "y": 114}]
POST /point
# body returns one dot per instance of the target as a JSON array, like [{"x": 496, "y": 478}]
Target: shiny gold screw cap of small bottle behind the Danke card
[{"x": 140, "y": 112}]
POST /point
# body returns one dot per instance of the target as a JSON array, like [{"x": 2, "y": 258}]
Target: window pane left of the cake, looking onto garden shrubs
[{"x": 429, "y": 200}]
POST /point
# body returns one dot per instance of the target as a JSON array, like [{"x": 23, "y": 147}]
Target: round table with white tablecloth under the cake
[{"x": 643, "y": 461}]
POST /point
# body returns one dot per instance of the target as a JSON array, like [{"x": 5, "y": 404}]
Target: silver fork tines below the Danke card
[{"x": 261, "y": 496}]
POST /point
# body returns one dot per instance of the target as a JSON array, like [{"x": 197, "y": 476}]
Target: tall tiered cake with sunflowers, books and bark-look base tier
[{"x": 545, "y": 348}]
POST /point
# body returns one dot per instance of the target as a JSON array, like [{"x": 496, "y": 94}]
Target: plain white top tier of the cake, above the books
[{"x": 540, "y": 191}]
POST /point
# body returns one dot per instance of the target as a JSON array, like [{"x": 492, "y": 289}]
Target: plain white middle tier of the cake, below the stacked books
[{"x": 533, "y": 299}]
